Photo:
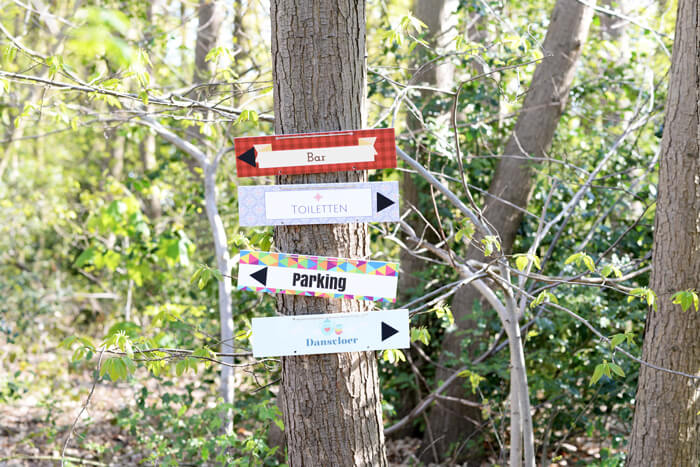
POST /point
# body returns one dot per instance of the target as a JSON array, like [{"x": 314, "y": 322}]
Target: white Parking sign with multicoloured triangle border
[{"x": 317, "y": 276}]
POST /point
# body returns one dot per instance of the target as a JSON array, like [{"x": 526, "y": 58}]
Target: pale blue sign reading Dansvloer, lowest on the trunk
[{"x": 330, "y": 333}]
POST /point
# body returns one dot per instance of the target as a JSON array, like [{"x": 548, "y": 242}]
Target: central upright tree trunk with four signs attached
[{"x": 331, "y": 403}]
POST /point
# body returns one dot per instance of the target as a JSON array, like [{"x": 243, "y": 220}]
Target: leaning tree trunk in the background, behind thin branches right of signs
[{"x": 514, "y": 177}]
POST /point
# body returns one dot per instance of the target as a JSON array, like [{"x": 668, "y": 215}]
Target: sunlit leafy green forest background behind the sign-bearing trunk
[{"x": 122, "y": 340}]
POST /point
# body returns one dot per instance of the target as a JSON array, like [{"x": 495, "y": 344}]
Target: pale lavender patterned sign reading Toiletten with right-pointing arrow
[{"x": 322, "y": 203}]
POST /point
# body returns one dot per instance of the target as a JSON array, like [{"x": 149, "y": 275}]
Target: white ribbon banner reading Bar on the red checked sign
[{"x": 267, "y": 158}]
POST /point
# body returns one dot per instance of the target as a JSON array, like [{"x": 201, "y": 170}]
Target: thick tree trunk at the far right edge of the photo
[{"x": 666, "y": 427}]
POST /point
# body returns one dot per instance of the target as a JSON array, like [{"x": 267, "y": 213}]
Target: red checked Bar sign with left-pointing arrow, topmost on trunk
[{"x": 315, "y": 152}]
